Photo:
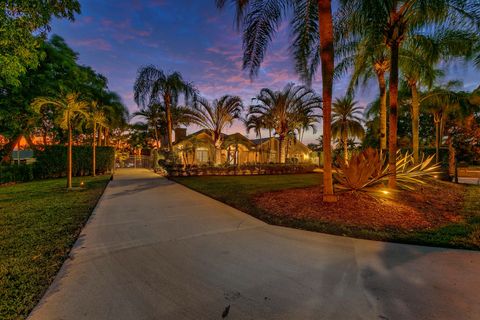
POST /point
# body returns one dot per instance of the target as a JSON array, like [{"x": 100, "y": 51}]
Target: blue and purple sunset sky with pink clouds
[{"x": 116, "y": 37}]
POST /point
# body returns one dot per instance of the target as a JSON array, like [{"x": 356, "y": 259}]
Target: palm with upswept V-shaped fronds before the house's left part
[{"x": 215, "y": 117}]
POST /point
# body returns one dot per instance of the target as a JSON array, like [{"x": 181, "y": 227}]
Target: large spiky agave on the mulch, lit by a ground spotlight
[{"x": 368, "y": 170}]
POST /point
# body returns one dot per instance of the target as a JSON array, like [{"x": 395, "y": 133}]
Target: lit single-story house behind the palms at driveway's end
[{"x": 198, "y": 148}]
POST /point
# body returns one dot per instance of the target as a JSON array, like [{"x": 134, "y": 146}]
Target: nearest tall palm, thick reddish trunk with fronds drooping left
[{"x": 312, "y": 27}]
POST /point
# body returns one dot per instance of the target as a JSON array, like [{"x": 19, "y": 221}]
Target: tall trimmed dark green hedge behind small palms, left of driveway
[{"x": 52, "y": 161}]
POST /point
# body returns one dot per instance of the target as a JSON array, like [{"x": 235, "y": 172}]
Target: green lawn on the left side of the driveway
[{"x": 39, "y": 222}]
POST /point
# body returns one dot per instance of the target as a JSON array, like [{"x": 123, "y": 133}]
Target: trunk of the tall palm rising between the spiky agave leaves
[{"x": 393, "y": 117}]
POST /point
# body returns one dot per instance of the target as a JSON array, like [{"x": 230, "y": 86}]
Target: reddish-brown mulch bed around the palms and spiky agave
[{"x": 427, "y": 207}]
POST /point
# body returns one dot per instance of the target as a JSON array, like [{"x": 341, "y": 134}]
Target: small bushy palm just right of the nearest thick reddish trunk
[{"x": 346, "y": 122}]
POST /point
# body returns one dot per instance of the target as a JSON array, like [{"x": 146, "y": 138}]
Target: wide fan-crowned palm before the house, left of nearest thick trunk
[{"x": 286, "y": 110}]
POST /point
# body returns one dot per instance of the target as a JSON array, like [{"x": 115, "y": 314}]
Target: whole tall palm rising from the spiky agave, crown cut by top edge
[{"x": 397, "y": 20}]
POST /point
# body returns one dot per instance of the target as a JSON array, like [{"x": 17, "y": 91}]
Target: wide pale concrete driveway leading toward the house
[{"x": 154, "y": 249}]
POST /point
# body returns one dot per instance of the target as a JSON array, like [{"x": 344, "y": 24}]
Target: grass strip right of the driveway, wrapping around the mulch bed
[{"x": 239, "y": 192}]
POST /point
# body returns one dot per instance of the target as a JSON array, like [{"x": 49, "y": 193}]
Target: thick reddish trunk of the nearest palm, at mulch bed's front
[{"x": 327, "y": 60}]
